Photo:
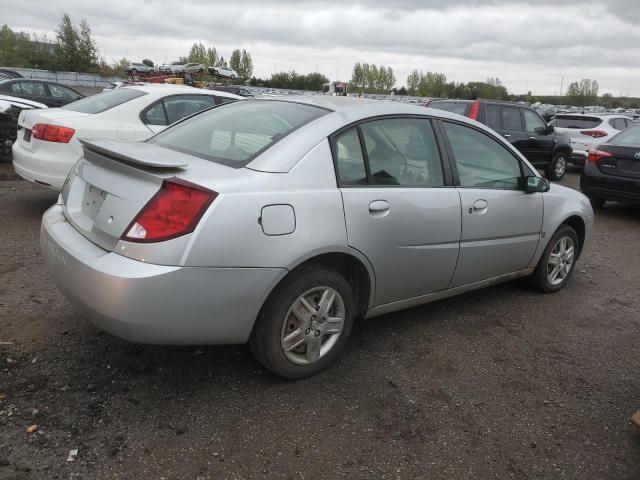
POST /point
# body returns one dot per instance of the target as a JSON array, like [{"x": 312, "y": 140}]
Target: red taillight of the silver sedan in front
[{"x": 174, "y": 210}]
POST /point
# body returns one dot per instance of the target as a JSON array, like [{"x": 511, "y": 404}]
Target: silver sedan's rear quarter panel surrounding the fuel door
[{"x": 230, "y": 234}]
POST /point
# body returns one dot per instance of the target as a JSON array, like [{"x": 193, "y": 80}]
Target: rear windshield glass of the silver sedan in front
[{"x": 235, "y": 133}]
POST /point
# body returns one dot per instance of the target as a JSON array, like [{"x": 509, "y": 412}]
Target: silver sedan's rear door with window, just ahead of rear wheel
[{"x": 399, "y": 210}]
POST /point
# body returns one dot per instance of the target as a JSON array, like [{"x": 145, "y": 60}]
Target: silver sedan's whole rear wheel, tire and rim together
[{"x": 305, "y": 323}]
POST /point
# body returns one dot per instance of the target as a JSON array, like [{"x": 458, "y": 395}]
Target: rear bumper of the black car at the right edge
[{"x": 594, "y": 182}]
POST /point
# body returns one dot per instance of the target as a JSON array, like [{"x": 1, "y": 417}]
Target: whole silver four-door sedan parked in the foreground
[{"x": 280, "y": 222}]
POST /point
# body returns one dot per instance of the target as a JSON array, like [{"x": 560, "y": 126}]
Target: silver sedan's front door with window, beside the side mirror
[{"x": 501, "y": 224}]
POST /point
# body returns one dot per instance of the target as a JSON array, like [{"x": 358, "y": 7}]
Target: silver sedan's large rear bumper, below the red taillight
[{"x": 155, "y": 304}]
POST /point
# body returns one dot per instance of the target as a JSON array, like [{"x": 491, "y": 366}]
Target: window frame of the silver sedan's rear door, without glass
[{"x": 443, "y": 155}]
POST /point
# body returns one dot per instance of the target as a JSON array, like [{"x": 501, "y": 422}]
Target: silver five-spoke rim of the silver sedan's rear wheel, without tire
[{"x": 312, "y": 325}]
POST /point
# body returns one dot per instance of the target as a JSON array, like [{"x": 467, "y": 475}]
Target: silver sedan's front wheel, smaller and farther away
[{"x": 558, "y": 261}]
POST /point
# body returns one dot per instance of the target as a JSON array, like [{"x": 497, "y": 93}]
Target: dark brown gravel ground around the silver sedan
[{"x": 500, "y": 383}]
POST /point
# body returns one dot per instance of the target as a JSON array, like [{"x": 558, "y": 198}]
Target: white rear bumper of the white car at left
[{"x": 47, "y": 170}]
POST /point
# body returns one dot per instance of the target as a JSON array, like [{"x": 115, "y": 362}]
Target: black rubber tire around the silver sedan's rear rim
[{"x": 265, "y": 341}]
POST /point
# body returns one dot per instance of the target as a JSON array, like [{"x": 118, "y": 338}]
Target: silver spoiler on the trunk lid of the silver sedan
[{"x": 139, "y": 153}]
